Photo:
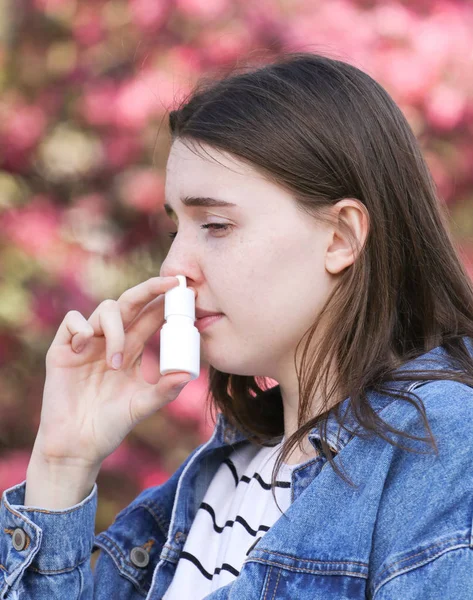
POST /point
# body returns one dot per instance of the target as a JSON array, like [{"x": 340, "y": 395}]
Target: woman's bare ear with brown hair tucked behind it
[{"x": 352, "y": 214}]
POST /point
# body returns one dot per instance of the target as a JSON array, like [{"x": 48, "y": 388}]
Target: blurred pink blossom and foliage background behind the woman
[{"x": 85, "y": 87}]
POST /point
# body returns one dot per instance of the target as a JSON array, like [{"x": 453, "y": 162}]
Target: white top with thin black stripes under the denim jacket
[{"x": 237, "y": 509}]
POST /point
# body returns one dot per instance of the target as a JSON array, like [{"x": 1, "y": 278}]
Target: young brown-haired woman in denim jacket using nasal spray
[{"x": 308, "y": 222}]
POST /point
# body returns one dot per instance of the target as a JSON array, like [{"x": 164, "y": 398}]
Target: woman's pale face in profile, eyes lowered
[{"x": 265, "y": 272}]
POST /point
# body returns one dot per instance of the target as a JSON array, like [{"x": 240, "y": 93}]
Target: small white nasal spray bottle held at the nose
[{"x": 180, "y": 339}]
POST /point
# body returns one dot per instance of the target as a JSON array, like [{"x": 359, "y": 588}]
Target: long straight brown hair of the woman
[{"x": 325, "y": 130}]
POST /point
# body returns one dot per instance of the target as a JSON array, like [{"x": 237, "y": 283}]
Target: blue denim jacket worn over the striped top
[{"x": 402, "y": 532}]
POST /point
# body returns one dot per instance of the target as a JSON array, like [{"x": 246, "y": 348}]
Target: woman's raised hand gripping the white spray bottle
[{"x": 88, "y": 406}]
